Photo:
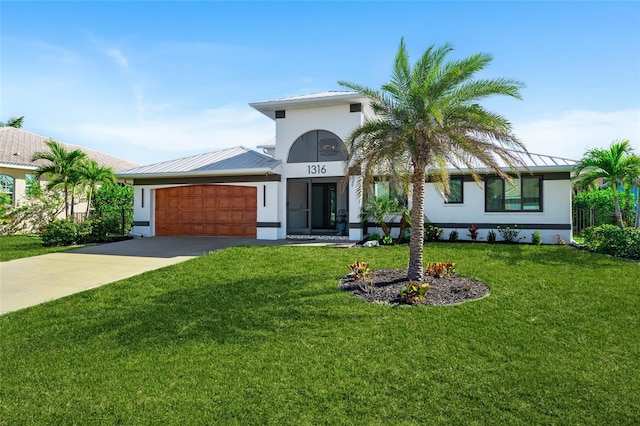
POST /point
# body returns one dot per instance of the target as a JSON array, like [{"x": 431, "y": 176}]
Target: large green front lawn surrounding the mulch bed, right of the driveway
[{"x": 262, "y": 335}]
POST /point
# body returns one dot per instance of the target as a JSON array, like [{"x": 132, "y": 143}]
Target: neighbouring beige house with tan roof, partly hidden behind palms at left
[{"x": 17, "y": 170}]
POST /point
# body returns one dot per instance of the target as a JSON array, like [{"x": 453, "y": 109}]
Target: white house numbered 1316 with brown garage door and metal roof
[{"x": 296, "y": 186}]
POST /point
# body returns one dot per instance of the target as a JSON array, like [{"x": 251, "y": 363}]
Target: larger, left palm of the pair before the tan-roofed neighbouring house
[{"x": 62, "y": 169}]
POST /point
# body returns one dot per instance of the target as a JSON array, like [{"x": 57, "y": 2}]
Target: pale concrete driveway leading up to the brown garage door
[{"x": 34, "y": 280}]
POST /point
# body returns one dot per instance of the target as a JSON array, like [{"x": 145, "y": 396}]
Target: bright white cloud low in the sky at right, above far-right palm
[{"x": 571, "y": 133}]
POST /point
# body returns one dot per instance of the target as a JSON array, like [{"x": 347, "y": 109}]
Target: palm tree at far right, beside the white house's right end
[{"x": 615, "y": 164}]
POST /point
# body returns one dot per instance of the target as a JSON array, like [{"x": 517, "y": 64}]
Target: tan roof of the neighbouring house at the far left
[{"x": 17, "y": 147}]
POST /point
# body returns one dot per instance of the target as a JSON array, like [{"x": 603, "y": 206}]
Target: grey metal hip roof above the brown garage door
[{"x": 211, "y": 163}]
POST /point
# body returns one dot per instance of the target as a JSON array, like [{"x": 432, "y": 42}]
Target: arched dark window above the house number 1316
[{"x": 317, "y": 146}]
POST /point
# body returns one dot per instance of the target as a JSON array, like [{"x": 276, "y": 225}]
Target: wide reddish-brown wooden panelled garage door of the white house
[{"x": 209, "y": 210}]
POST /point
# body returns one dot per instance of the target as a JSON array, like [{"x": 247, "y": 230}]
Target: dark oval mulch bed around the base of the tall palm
[{"x": 387, "y": 284}]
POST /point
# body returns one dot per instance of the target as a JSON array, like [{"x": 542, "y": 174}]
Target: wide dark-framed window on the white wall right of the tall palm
[{"x": 523, "y": 194}]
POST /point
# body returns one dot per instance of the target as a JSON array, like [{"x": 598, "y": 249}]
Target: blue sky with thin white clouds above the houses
[{"x": 152, "y": 81}]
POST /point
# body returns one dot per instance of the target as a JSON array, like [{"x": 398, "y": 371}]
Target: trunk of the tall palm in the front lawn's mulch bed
[{"x": 415, "y": 272}]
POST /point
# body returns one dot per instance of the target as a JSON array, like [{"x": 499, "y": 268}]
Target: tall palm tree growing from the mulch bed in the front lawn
[{"x": 428, "y": 116}]
